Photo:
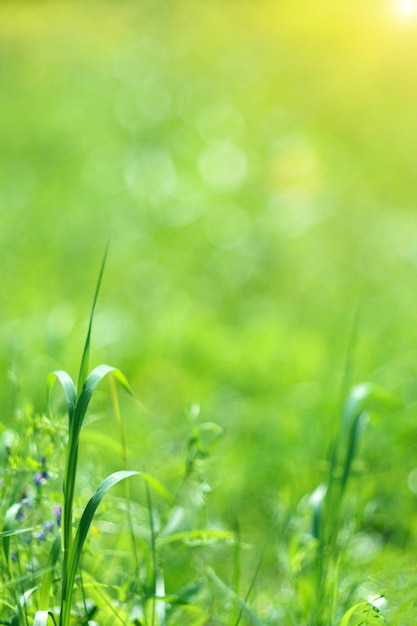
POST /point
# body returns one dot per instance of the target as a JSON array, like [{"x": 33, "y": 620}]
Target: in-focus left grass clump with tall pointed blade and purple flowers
[{"x": 44, "y": 534}]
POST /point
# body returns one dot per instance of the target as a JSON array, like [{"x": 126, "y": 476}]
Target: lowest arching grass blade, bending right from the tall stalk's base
[{"x": 79, "y": 540}]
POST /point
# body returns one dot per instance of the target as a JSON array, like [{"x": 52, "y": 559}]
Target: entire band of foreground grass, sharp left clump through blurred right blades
[{"x": 68, "y": 563}]
